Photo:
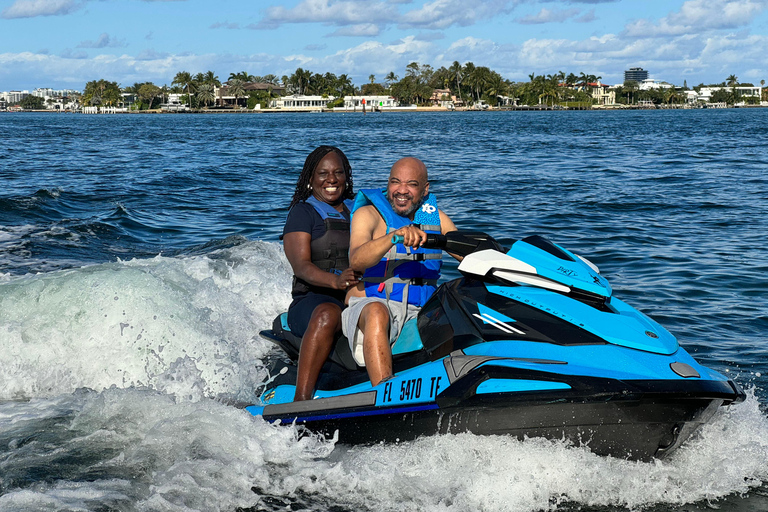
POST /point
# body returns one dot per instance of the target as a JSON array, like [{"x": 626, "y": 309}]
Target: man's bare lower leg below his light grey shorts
[{"x": 374, "y": 324}]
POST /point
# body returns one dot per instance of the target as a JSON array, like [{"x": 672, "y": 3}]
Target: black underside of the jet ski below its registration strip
[{"x": 633, "y": 429}]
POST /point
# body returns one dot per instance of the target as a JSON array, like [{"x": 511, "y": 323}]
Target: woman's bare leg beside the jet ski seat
[{"x": 316, "y": 345}]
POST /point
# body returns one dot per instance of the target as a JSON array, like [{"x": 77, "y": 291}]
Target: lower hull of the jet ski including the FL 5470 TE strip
[{"x": 631, "y": 419}]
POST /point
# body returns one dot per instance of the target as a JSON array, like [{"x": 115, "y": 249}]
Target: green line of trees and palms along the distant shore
[{"x": 468, "y": 83}]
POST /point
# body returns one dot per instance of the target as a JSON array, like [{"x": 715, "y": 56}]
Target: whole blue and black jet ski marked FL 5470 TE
[{"x": 528, "y": 342}]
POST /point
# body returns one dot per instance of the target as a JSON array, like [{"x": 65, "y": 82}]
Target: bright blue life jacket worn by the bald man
[{"x": 403, "y": 273}]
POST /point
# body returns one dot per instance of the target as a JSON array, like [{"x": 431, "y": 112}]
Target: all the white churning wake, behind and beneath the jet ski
[{"x": 114, "y": 389}]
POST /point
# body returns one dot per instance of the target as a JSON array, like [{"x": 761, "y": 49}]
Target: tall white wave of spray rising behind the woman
[{"x": 187, "y": 325}]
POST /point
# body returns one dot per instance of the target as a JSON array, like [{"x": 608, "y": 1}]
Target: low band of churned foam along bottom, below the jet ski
[{"x": 143, "y": 450}]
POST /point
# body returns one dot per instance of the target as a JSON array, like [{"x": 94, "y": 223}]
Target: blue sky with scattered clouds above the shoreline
[{"x": 65, "y": 43}]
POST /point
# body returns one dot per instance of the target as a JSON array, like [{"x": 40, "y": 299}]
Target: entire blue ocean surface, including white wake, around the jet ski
[{"x": 139, "y": 258}]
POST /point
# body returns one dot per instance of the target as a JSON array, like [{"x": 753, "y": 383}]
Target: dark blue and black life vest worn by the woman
[{"x": 329, "y": 252}]
